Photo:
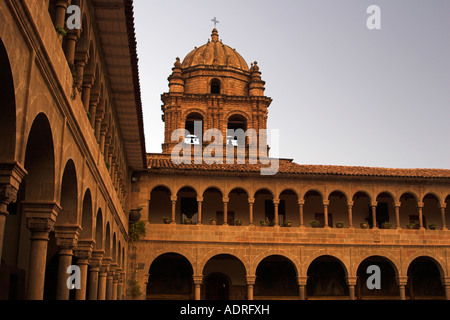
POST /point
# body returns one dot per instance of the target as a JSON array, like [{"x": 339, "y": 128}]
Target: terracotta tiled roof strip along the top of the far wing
[{"x": 161, "y": 162}]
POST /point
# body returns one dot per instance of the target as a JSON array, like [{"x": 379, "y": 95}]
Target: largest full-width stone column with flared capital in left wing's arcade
[{"x": 40, "y": 219}]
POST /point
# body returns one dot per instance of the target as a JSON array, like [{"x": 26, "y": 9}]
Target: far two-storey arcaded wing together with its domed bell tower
[{"x": 206, "y": 223}]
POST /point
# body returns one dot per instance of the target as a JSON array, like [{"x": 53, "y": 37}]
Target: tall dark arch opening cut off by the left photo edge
[{"x": 7, "y": 108}]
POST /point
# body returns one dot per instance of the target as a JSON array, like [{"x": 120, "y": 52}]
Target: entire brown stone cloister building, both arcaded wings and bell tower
[{"x": 74, "y": 171}]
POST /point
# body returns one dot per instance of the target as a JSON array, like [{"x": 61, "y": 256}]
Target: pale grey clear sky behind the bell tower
[{"x": 342, "y": 94}]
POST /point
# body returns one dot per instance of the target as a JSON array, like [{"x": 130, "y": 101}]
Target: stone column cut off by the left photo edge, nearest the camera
[{"x": 11, "y": 175}]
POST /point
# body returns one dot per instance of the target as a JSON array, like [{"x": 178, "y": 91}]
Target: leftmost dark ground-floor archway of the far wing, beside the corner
[{"x": 170, "y": 278}]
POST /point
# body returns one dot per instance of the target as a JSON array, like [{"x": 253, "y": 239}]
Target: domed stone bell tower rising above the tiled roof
[{"x": 213, "y": 88}]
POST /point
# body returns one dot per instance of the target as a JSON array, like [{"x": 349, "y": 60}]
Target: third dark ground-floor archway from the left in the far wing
[{"x": 276, "y": 278}]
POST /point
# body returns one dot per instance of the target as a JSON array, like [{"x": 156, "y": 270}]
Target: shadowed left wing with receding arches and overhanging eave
[{"x": 64, "y": 166}]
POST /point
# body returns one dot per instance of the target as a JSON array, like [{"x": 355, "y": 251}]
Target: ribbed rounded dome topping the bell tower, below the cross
[{"x": 215, "y": 54}]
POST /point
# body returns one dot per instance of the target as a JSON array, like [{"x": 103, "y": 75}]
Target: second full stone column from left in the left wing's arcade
[{"x": 66, "y": 240}]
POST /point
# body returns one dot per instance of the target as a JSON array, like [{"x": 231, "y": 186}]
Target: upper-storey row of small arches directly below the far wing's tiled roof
[{"x": 404, "y": 209}]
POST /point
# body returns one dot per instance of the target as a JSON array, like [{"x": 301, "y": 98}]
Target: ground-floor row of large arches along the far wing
[{"x": 275, "y": 276}]
